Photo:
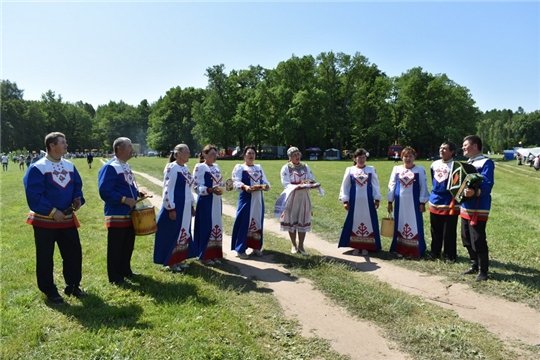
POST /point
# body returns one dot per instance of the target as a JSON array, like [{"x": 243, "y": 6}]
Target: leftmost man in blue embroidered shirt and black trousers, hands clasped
[{"x": 53, "y": 189}]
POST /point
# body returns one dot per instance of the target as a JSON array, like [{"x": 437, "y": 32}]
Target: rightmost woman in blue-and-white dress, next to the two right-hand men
[{"x": 408, "y": 188}]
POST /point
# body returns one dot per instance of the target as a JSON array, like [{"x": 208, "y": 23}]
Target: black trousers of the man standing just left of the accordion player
[{"x": 444, "y": 233}]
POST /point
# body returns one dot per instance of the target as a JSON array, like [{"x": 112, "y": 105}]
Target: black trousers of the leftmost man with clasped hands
[{"x": 69, "y": 244}]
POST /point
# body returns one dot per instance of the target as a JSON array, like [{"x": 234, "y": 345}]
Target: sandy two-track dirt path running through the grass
[{"x": 316, "y": 314}]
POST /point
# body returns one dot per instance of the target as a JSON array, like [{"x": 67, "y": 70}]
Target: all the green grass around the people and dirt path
[{"x": 216, "y": 314}]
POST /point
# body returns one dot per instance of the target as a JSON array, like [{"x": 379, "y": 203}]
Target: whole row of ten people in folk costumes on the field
[{"x": 53, "y": 189}]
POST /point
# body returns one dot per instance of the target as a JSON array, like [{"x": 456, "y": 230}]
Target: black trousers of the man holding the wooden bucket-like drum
[{"x": 120, "y": 244}]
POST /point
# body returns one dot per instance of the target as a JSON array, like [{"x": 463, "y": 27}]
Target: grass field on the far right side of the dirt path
[{"x": 513, "y": 229}]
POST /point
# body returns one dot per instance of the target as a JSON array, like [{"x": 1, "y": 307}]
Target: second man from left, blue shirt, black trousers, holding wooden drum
[{"x": 119, "y": 191}]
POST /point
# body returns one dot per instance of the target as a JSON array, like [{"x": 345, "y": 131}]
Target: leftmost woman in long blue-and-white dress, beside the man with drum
[{"x": 173, "y": 237}]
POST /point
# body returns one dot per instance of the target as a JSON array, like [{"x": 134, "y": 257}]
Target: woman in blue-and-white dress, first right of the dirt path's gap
[{"x": 360, "y": 195}]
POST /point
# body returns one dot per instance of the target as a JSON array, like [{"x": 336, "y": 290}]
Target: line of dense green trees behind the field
[{"x": 333, "y": 100}]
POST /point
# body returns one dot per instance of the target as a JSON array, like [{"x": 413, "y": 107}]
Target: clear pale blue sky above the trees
[{"x": 100, "y": 51}]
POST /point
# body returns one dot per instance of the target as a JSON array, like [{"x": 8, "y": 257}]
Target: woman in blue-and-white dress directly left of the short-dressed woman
[{"x": 249, "y": 180}]
